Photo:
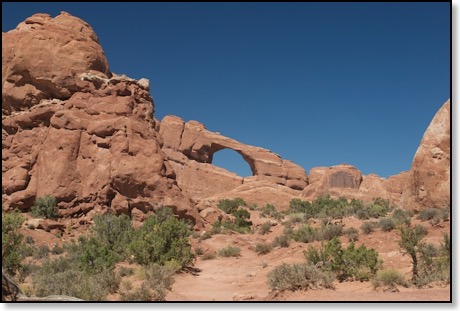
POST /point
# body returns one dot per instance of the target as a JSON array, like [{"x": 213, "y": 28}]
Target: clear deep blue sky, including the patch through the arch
[{"x": 317, "y": 83}]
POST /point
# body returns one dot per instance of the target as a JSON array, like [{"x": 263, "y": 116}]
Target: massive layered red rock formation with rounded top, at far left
[{"x": 77, "y": 132}]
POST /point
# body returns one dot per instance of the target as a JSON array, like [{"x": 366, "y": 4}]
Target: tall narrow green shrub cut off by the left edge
[{"x": 12, "y": 242}]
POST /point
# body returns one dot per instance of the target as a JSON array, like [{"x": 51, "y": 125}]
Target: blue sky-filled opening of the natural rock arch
[{"x": 232, "y": 161}]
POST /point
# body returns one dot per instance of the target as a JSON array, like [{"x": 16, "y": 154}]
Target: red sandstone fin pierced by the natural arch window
[{"x": 190, "y": 148}]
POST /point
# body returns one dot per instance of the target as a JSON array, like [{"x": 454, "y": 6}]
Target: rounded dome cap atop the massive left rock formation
[{"x": 43, "y": 57}]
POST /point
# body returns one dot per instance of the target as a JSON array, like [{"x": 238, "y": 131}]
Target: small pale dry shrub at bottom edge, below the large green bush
[{"x": 159, "y": 279}]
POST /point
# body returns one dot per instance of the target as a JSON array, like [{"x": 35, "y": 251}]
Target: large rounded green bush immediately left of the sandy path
[{"x": 162, "y": 238}]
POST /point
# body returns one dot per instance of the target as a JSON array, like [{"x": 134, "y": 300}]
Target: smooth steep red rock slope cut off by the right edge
[{"x": 428, "y": 183}]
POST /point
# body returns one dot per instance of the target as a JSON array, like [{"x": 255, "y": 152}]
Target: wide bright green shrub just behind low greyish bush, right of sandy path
[{"x": 347, "y": 263}]
